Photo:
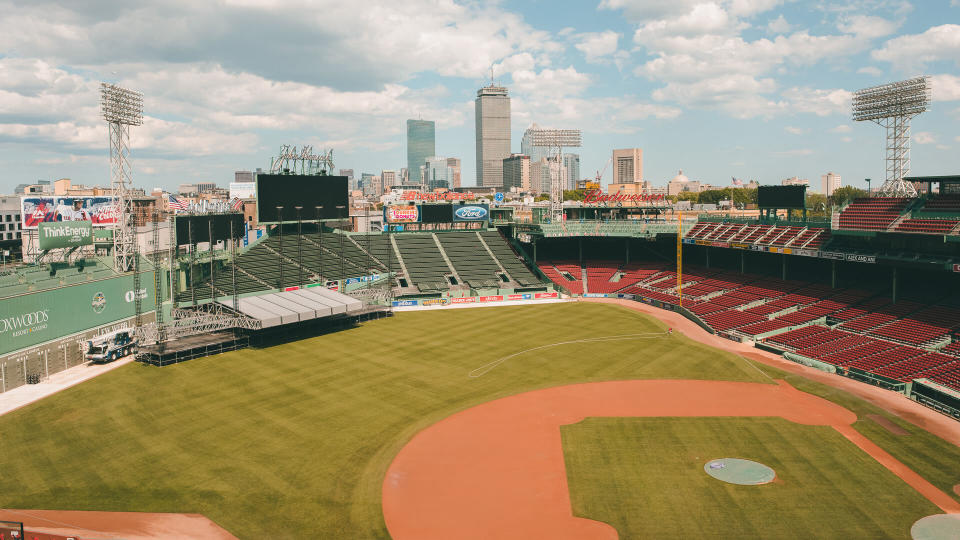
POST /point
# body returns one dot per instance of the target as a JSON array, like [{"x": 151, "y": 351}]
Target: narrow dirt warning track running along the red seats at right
[{"x": 940, "y": 425}]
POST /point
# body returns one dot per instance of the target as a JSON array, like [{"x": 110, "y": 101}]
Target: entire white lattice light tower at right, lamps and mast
[{"x": 892, "y": 106}]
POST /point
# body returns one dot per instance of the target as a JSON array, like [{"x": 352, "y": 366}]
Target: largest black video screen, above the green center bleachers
[{"x": 307, "y": 191}]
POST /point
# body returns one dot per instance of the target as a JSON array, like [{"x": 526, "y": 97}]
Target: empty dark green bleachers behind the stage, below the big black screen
[{"x": 332, "y": 256}]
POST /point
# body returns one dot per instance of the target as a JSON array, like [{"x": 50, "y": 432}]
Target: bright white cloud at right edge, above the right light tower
[{"x": 914, "y": 51}]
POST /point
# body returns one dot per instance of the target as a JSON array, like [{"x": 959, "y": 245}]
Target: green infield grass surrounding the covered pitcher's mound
[{"x": 645, "y": 477}]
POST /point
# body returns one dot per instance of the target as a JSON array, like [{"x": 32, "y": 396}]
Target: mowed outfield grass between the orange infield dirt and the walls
[{"x": 294, "y": 440}]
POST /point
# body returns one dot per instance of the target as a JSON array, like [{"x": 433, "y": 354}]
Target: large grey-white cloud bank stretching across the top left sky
[{"x": 340, "y": 45}]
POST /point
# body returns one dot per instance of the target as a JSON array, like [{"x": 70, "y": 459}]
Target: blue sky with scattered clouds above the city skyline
[{"x": 756, "y": 89}]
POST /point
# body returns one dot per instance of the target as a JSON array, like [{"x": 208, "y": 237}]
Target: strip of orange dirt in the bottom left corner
[{"x": 116, "y": 525}]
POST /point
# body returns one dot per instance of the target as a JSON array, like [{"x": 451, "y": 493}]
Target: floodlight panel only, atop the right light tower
[{"x": 901, "y": 98}]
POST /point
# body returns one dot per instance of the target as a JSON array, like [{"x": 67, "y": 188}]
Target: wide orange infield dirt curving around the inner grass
[{"x": 497, "y": 470}]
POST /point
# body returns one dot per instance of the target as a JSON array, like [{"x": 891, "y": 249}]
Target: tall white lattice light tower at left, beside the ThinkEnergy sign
[{"x": 121, "y": 109}]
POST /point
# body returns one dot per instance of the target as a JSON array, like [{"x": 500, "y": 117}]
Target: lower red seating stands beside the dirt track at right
[{"x": 893, "y": 340}]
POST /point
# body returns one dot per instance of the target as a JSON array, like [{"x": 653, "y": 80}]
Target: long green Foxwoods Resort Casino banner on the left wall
[{"x": 30, "y": 319}]
